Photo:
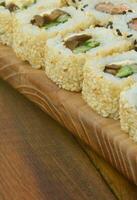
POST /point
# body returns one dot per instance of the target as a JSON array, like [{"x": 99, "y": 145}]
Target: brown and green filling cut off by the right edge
[{"x": 121, "y": 70}]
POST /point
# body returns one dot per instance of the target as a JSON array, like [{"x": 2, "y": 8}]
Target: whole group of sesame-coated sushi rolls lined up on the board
[{"x": 87, "y": 46}]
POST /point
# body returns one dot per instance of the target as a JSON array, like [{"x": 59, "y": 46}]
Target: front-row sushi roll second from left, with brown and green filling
[{"x": 33, "y": 30}]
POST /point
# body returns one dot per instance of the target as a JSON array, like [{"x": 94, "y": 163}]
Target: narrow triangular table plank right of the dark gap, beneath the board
[{"x": 121, "y": 187}]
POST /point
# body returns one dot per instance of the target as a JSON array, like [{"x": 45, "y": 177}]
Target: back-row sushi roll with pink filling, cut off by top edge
[{"x": 104, "y": 11}]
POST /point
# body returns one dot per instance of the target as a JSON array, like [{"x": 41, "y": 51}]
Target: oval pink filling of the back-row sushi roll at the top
[{"x": 112, "y": 9}]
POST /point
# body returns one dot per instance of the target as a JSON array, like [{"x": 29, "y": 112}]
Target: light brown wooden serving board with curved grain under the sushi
[{"x": 102, "y": 135}]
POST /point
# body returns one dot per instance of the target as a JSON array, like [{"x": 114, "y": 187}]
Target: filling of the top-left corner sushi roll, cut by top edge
[{"x": 13, "y": 6}]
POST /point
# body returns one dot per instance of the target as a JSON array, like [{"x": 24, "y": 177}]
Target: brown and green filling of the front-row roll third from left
[{"x": 81, "y": 43}]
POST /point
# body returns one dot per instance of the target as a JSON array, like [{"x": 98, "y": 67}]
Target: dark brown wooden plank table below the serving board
[{"x": 40, "y": 160}]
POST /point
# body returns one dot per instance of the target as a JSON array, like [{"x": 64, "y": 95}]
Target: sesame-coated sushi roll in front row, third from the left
[{"x": 65, "y": 56}]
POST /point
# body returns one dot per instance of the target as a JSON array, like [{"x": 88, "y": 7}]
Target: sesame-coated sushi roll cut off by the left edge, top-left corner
[{"x": 7, "y": 8}]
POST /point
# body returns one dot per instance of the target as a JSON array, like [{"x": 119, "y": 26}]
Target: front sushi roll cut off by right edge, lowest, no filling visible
[{"x": 128, "y": 111}]
